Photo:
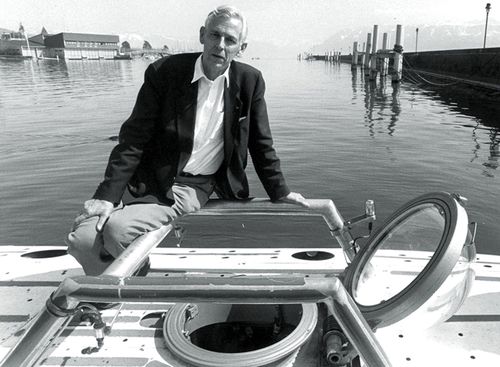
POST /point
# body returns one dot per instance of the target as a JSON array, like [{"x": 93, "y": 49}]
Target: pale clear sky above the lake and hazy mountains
[{"x": 280, "y": 22}]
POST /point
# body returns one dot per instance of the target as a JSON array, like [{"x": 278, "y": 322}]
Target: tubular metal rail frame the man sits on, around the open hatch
[{"x": 113, "y": 285}]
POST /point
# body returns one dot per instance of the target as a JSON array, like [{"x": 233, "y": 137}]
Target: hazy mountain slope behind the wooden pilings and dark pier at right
[{"x": 430, "y": 37}]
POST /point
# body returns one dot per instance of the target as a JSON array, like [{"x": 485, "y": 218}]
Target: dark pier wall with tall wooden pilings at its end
[{"x": 478, "y": 67}]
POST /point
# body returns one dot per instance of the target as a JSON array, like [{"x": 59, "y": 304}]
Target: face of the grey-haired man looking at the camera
[{"x": 221, "y": 40}]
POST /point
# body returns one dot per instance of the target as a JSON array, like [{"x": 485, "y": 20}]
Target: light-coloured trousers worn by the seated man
[{"x": 96, "y": 250}]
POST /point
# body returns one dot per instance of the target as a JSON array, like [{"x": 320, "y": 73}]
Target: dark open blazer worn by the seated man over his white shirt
[{"x": 156, "y": 141}]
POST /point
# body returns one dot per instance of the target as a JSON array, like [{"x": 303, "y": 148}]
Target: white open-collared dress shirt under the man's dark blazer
[{"x": 208, "y": 145}]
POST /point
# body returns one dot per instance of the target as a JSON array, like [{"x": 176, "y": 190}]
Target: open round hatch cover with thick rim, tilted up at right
[{"x": 408, "y": 258}]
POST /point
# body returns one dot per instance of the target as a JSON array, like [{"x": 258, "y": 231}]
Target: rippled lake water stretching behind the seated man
[{"x": 338, "y": 137}]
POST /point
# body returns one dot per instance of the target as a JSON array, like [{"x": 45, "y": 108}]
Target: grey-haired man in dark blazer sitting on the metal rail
[{"x": 195, "y": 118}]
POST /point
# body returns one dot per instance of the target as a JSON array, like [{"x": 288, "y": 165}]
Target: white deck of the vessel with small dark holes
[{"x": 469, "y": 338}]
